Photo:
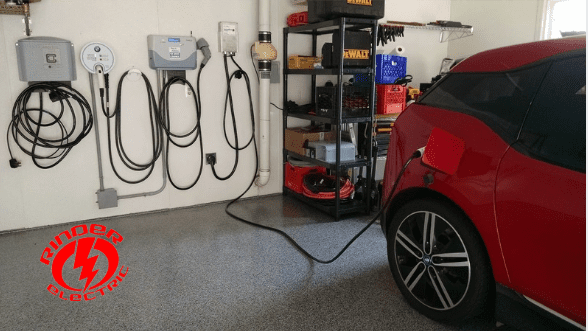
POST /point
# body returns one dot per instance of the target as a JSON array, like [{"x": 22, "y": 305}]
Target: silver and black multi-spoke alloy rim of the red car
[{"x": 432, "y": 260}]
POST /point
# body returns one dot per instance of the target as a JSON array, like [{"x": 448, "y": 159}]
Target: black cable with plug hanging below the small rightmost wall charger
[{"x": 240, "y": 73}]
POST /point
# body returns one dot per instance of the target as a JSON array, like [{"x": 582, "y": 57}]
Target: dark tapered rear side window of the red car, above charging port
[{"x": 499, "y": 99}]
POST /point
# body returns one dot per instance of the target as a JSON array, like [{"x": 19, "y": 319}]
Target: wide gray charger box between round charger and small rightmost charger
[{"x": 171, "y": 53}]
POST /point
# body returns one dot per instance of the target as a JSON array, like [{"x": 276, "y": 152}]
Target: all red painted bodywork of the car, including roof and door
[{"x": 530, "y": 214}]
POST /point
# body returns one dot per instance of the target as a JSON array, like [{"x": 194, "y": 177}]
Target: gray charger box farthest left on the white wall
[{"x": 42, "y": 59}]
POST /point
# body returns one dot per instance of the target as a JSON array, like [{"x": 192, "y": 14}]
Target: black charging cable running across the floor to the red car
[{"x": 417, "y": 154}]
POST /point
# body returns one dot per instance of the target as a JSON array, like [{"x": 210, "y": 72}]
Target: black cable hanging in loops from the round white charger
[{"x": 156, "y": 133}]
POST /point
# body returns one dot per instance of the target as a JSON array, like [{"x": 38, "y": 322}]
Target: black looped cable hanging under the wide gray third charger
[{"x": 174, "y": 138}]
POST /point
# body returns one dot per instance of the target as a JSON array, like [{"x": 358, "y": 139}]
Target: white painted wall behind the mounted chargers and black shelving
[{"x": 31, "y": 197}]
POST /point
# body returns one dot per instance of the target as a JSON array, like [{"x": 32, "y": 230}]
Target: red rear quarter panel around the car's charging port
[{"x": 471, "y": 187}]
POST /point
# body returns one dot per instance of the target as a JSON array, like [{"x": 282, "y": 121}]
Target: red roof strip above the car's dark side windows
[{"x": 516, "y": 56}]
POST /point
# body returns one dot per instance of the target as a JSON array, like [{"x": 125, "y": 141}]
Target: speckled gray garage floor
[{"x": 196, "y": 268}]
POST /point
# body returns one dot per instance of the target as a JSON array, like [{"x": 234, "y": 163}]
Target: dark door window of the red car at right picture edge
[{"x": 555, "y": 128}]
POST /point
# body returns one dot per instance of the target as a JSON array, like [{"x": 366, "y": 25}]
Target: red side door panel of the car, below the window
[{"x": 541, "y": 211}]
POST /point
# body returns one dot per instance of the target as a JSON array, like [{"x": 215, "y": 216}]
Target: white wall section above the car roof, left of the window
[{"x": 496, "y": 23}]
